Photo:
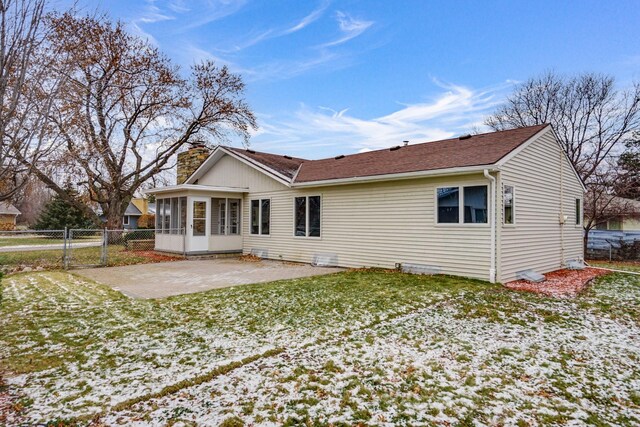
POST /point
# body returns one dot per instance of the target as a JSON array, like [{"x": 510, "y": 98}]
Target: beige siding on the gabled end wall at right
[{"x": 540, "y": 173}]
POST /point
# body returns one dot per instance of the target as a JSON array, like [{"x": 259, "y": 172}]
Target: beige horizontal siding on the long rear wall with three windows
[{"x": 376, "y": 225}]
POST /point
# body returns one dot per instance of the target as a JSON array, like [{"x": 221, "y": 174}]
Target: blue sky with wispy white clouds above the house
[{"x": 332, "y": 77}]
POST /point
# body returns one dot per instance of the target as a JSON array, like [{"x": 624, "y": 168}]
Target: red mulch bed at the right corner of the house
[{"x": 560, "y": 283}]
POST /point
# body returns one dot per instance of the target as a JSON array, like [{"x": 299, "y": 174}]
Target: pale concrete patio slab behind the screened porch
[{"x": 184, "y": 277}]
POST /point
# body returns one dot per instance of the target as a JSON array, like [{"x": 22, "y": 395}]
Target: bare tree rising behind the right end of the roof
[{"x": 590, "y": 116}]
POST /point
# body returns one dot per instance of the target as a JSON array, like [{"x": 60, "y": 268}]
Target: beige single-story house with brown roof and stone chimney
[{"x": 487, "y": 206}]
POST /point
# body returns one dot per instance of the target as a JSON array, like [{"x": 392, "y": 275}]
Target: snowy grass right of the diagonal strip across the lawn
[{"x": 487, "y": 357}]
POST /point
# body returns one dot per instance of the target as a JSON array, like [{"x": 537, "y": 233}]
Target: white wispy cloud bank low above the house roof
[{"x": 323, "y": 131}]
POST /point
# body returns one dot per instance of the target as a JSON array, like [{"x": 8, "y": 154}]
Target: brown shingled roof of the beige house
[{"x": 472, "y": 150}]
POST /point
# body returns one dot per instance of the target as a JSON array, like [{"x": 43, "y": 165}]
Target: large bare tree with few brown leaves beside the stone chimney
[{"x": 124, "y": 111}]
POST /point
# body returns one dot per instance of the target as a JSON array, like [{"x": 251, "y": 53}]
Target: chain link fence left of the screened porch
[{"x": 27, "y": 250}]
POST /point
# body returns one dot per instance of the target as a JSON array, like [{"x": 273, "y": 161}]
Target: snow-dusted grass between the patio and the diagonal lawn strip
[{"x": 75, "y": 348}]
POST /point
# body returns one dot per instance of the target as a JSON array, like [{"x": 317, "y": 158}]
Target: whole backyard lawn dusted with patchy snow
[{"x": 368, "y": 347}]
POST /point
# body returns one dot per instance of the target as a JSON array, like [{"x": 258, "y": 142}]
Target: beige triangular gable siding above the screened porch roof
[{"x": 230, "y": 172}]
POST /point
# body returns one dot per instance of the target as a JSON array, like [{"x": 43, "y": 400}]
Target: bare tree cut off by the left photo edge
[{"x": 26, "y": 98}]
